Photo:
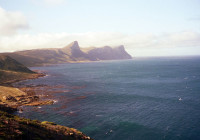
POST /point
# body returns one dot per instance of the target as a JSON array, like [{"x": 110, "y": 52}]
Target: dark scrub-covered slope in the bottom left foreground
[{"x": 14, "y": 127}]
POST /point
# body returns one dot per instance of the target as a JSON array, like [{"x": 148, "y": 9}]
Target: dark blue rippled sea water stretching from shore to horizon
[{"x": 139, "y": 99}]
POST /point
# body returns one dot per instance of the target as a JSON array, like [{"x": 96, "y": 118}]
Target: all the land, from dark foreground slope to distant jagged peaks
[{"x": 13, "y": 69}]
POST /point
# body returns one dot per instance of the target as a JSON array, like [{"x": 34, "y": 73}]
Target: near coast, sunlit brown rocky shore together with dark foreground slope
[{"x": 15, "y": 127}]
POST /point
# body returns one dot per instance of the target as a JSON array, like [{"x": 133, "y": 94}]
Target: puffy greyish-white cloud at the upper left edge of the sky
[{"x": 11, "y": 22}]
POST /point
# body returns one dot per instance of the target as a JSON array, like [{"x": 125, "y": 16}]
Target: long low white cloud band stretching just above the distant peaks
[{"x": 133, "y": 43}]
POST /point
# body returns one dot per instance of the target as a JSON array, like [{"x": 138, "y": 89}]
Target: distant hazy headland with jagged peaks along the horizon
[{"x": 70, "y": 53}]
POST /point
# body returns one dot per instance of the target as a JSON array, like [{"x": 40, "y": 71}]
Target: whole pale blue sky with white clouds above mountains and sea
[{"x": 144, "y": 27}]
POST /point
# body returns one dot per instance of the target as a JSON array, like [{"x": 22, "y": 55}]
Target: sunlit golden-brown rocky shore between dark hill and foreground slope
[{"x": 12, "y": 98}]
